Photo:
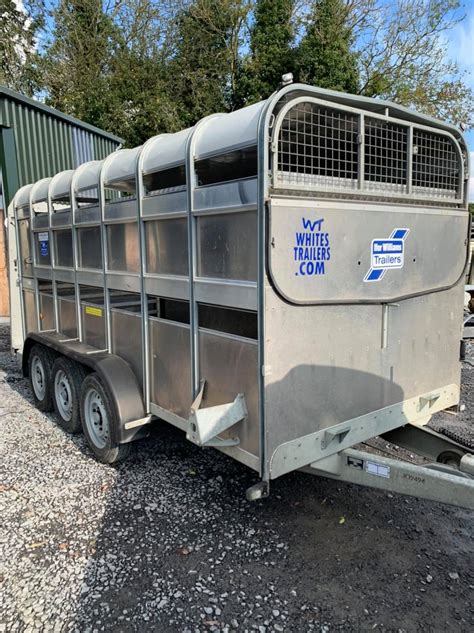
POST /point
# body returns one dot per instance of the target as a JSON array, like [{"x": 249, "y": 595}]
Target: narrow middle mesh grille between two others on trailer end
[{"x": 385, "y": 155}]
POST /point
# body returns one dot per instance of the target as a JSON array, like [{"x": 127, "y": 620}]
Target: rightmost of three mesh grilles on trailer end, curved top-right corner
[{"x": 435, "y": 163}]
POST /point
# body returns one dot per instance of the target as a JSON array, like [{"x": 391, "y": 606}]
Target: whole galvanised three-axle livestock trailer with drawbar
[{"x": 282, "y": 283}]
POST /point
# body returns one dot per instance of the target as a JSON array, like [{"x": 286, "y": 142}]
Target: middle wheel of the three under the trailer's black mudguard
[{"x": 67, "y": 377}]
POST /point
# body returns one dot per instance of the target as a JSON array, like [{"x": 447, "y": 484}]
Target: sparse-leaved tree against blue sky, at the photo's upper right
[{"x": 402, "y": 52}]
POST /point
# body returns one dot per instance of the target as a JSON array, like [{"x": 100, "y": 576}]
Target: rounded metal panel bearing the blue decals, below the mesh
[{"x": 331, "y": 255}]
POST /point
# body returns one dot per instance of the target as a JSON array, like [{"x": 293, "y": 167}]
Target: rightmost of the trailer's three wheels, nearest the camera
[{"x": 97, "y": 419}]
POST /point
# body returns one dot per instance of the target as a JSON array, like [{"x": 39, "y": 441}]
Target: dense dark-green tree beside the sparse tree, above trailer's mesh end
[{"x": 325, "y": 57}]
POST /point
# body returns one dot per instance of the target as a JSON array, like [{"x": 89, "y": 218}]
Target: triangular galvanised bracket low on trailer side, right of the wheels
[{"x": 205, "y": 425}]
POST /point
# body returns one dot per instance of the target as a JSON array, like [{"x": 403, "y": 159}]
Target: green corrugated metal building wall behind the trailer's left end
[{"x": 37, "y": 141}]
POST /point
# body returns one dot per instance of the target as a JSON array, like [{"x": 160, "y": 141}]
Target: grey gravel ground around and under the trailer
[{"x": 167, "y": 541}]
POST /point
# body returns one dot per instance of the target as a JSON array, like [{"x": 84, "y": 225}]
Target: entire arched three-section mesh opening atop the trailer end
[{"x": 318, "y": 148}]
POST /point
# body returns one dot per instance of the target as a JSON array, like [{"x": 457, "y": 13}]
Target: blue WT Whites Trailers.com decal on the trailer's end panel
[{"x": 311, "y": 250}]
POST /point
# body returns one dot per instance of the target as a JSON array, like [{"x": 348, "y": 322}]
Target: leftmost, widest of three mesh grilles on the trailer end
[{"x": 317, "y": 146}]
